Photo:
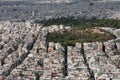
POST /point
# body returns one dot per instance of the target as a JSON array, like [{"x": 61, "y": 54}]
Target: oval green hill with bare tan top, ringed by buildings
[{"x": 73, "y": 35}]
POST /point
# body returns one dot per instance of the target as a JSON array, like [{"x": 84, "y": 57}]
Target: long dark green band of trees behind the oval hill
[{"x": 81, "y": 22}]
